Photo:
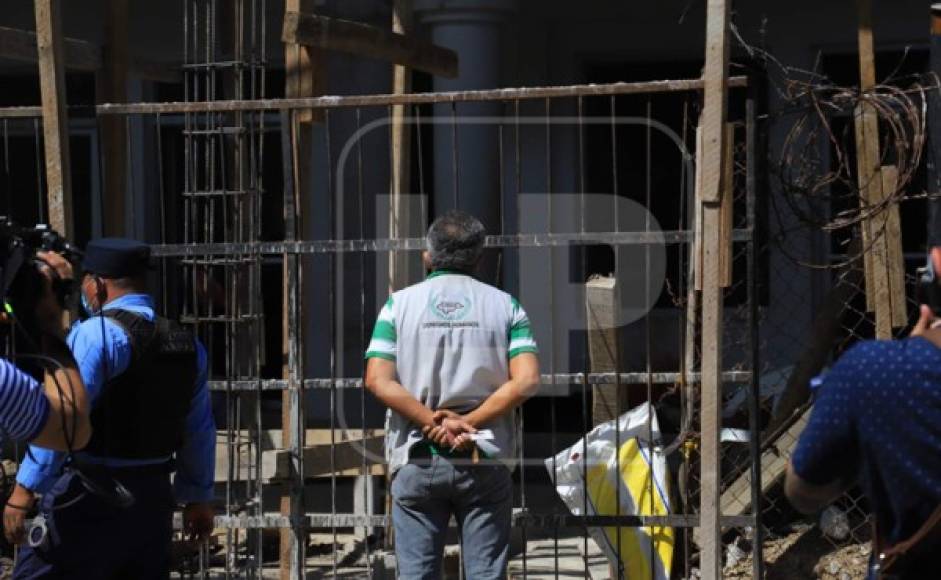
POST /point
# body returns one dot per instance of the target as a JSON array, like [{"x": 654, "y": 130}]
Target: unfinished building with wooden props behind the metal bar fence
[{"x": 286, "y": 158}]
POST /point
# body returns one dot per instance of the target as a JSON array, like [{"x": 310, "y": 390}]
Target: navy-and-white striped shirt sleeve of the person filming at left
[{"x": 24, "y": 407}]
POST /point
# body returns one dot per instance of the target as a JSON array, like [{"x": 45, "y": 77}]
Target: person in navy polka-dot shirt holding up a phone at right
[{"x": 877, "y": 420}]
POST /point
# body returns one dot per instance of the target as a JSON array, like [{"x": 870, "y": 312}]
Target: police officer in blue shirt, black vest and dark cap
[{"x": 109, "y": 511}]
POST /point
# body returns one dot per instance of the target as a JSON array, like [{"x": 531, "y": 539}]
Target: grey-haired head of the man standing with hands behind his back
[{"x": 455, "y": 241}]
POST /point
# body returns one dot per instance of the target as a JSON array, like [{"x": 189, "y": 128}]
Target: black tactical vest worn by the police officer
[{"x": 141, "y": 413}]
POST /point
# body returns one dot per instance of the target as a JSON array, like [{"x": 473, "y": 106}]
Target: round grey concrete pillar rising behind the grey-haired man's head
[{"x": 476, "y": 30}]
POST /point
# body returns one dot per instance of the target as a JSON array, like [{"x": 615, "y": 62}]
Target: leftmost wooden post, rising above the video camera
[{"x": 55, "y": 118}]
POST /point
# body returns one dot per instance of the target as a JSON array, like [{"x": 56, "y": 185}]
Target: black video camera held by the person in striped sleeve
[{"x": 21, "y": 282}]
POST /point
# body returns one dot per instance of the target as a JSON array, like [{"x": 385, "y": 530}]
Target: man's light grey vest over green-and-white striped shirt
[{"x": 452, "y": 338}]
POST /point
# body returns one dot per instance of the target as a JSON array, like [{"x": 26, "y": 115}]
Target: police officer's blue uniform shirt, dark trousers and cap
[{"x": 90, "y": 536}]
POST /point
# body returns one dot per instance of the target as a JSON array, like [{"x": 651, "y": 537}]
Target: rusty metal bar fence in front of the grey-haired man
[{"x": 282, "y": 284}]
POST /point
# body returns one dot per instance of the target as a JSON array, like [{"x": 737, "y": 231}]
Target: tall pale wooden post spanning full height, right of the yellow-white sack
[{"x": 711, "y": 157}]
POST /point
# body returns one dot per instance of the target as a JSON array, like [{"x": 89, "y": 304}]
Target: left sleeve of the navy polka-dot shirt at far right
[{"x": 826, "y": 450}]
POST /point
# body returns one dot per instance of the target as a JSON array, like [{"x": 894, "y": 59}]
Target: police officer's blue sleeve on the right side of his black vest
[{"x": 196, "y": 461}]
